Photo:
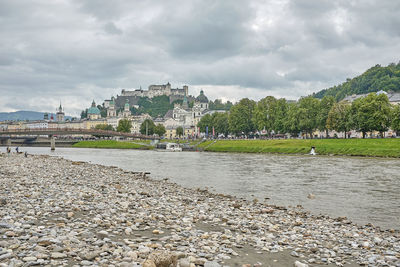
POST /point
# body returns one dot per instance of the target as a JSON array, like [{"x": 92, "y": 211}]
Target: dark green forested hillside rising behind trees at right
[{"x": 373, "y": 80}]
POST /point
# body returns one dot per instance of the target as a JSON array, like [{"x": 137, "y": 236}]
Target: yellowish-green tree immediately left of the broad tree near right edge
[{"x": 339, "y": 118}]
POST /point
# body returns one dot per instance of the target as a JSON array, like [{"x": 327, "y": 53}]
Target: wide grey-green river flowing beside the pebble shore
[{"x": 366, "y": 190}]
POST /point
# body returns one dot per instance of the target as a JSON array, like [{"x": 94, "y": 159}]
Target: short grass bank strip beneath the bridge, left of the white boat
[{"x": 114, "y": 144}]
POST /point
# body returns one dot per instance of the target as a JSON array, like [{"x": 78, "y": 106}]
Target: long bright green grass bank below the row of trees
[{"x": 351, "y": 147}]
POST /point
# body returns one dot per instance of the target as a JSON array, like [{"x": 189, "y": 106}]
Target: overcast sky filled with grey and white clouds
[{"x": 74, "y": 51}]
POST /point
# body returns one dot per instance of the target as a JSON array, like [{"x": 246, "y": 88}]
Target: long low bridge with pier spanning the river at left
[{"x": 6, "y": 135}]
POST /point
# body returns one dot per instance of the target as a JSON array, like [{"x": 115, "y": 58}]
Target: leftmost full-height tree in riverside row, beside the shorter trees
[{"x": 241, "y": 117}]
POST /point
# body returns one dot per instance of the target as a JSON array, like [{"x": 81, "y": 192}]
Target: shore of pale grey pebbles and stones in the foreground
[{"x": 58, "y": 212}]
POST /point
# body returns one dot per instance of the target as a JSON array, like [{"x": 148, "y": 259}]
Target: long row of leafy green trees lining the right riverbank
[{"x": 274, "y": 116}]
